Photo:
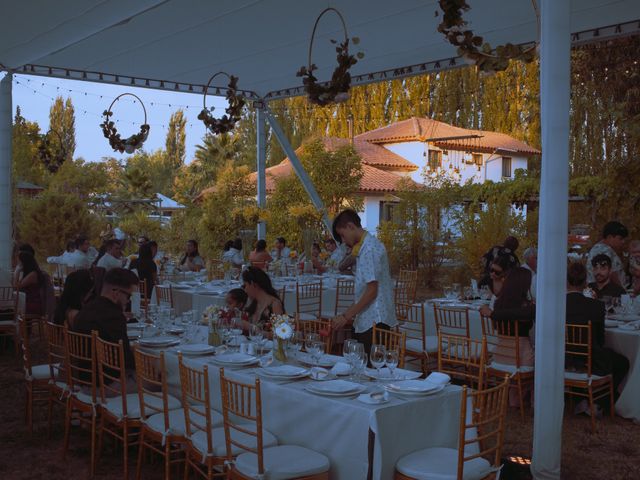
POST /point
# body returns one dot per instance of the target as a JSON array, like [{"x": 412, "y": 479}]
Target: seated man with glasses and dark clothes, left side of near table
[{"x": 106, "y": 314}]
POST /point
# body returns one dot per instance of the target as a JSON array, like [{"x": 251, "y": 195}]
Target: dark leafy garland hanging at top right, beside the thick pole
[{"x": 471, "y": 47}]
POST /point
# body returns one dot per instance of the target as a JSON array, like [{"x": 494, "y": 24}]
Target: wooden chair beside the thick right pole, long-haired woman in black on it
[{"x": 503, "y": 356}]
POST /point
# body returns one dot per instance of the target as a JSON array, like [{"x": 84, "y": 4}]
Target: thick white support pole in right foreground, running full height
[{"x": 555, "y": 68}]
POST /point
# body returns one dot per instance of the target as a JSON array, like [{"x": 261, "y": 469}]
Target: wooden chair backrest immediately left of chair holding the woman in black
[{"x": 462, "y": 358}]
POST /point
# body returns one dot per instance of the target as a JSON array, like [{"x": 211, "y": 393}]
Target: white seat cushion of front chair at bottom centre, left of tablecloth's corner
[{"x": 284, "y": 462}]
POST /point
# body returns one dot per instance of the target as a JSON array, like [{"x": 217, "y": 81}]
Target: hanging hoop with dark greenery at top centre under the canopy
[{"x": 337, "y": 89}]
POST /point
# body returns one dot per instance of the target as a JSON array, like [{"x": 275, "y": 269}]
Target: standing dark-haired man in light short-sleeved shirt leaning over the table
[{"x": 373, "y": 286}]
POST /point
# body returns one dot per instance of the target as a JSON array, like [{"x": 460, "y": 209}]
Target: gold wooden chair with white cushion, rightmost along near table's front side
[{"x": 243, "y": 431}]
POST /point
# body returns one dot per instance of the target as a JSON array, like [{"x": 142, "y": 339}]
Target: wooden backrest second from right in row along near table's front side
[{"x": 196, "y": 401}]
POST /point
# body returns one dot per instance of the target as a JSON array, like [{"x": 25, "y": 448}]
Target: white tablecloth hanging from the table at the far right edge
[{"x": 627, "y": 343}]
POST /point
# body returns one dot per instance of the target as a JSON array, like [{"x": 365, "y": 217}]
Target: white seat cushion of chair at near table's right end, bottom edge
[{"x": 441, "y": 464}]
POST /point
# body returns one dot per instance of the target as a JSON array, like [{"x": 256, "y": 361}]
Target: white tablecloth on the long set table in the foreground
[{"x": 338, "y": 427}]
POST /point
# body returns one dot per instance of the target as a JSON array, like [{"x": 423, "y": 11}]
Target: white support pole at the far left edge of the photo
[{"x": 6, "y": 224}]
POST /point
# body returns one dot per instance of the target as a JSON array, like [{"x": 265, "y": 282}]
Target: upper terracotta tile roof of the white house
[{"x": 422, "y": 129}]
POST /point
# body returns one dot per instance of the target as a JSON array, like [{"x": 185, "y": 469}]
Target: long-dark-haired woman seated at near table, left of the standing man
[{"x": 264, "y": 299}]
